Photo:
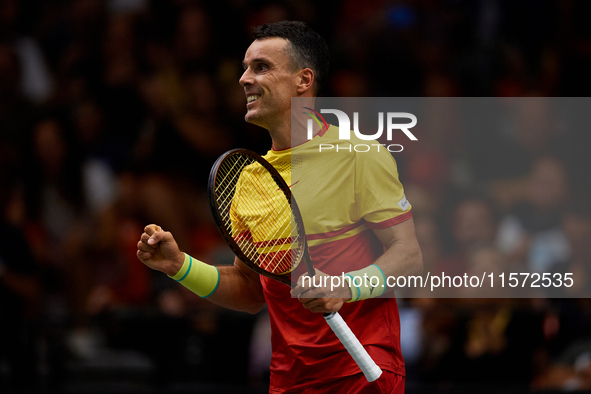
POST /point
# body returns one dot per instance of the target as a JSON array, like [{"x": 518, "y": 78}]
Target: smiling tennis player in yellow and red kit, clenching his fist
[{"x": 358, "y": 223}]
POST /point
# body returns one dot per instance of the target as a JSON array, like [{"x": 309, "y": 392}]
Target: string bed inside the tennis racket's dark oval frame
[{"x": 260, "y": 201}]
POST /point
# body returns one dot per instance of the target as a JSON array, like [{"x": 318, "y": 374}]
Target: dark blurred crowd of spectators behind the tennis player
[{"x": 113, "y": 111}]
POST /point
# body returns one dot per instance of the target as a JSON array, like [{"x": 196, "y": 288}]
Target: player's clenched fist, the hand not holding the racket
[{"x": 159, "y": 251}]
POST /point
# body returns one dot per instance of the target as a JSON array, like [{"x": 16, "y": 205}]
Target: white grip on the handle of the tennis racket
[{"x": 353, "y": 346}]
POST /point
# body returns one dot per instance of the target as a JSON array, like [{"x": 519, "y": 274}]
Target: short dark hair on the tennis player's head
[{"x": 309, "y": 50}]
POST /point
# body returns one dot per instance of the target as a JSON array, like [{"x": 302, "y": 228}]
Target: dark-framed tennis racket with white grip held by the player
[{"x": 260, "y": 220}]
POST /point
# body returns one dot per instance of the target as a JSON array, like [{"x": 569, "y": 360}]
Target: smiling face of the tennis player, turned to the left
[{"x": 269, "y": 81}]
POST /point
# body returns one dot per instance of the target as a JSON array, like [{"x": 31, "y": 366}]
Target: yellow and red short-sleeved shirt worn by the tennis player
[{"x": 342, "y": 196}]
